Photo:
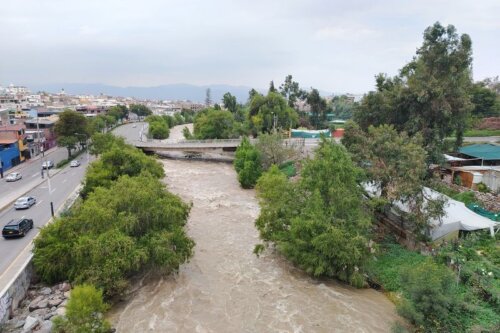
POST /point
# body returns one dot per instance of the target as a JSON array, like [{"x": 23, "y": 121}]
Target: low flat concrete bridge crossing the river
[{"x": 202, "y": 146}]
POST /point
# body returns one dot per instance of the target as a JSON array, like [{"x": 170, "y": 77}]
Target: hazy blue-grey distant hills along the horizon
[{"x": 163, "y": 92}]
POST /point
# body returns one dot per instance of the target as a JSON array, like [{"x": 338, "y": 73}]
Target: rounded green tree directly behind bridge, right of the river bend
[{"x": 213, "y": 124}]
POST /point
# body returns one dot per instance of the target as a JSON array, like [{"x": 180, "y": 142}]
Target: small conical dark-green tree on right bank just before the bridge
[{"x": 247, "y": 164}]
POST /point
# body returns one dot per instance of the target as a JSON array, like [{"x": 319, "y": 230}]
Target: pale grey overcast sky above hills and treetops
[{"x": 336, "y": 46}]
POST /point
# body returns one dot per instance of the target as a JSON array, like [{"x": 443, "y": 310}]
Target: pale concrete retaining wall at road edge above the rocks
[{"x": 15, "y": 292}]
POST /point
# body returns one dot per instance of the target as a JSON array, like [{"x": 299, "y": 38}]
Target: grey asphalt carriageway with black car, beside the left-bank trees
[{"x": 63, "y": 183}]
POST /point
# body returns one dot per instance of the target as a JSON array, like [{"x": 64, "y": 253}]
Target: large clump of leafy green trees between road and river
[{"x": 107, "y": 238}]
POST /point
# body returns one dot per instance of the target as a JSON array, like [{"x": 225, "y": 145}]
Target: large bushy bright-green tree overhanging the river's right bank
[{"x": 318, "y": 223}]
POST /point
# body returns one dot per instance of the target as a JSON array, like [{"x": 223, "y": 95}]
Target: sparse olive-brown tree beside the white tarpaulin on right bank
[{"x": 397, "y": 165}]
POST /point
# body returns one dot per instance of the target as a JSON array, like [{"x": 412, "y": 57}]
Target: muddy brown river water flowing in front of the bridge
[{"x": 226, "y": 288}]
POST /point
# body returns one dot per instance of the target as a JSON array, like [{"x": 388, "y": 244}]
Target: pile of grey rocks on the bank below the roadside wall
[{"x": 36, "y": 311}]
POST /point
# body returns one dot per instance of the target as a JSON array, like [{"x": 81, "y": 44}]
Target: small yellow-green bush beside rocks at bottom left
[{"x": 84, "y": 312}]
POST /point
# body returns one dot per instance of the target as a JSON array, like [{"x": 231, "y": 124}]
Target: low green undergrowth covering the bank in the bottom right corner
[{"x": 455, "y": 290}]
